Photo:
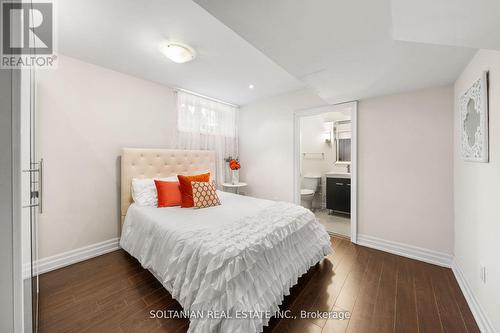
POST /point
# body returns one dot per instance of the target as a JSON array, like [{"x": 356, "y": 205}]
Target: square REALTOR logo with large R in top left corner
[{"x": 27, "y": 34}]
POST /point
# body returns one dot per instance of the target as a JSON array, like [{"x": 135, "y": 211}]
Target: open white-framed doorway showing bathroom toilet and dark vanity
[{"x": 325, "y": 166}]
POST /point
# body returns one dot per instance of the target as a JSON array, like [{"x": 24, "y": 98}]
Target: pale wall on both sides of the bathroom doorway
[{"x": 405, "y": 161}]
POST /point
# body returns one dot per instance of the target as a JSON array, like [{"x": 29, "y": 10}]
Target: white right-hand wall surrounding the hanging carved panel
[{"x": 477, "y": 194}]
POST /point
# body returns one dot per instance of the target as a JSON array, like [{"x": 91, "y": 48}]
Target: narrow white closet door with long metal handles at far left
[{"x": 25, "y": 101}]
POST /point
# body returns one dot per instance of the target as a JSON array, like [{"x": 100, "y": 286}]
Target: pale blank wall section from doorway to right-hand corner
[{"x": 405, "y": 185}]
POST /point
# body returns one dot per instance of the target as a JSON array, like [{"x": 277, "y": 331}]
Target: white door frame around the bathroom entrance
[{"x": 298, "y": 114}]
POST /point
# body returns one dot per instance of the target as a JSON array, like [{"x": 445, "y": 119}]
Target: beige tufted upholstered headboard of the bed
[{"x": 159, "y": 163}]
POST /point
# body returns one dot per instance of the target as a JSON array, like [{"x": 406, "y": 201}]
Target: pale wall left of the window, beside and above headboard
[{"x": 86, "y": 114}]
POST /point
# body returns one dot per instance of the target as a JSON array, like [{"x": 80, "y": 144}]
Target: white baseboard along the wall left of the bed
[{"x": 71, "y": 257}]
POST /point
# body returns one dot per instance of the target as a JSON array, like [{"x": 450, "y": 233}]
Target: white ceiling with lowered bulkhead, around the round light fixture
[{"x": 341, "y": 50}]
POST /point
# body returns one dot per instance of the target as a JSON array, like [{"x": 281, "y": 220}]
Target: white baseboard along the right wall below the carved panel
[{"x": 482, "y": 320}]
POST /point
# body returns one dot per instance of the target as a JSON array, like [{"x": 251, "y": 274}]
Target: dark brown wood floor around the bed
[{"x": 381, "y": 291}]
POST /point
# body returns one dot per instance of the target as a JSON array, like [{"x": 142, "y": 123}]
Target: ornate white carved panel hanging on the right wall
[{"x": 473, "y": 106}]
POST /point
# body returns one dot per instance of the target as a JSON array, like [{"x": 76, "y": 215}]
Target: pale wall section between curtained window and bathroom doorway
[{"x": 266, "y": 143}]
